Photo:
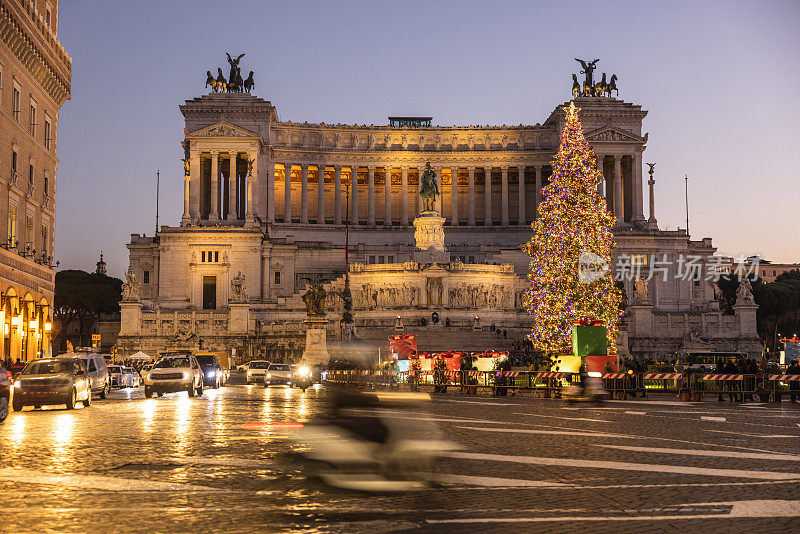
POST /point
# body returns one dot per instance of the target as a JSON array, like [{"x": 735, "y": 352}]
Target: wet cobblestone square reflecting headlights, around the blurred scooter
[{"x": 178, "y": 464}]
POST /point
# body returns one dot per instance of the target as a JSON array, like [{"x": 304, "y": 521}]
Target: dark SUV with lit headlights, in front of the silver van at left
[{"x": 52, "y": 381}]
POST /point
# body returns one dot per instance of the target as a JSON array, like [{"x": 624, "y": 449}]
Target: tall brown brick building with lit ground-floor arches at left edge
[{"x": 35, "y": 81}]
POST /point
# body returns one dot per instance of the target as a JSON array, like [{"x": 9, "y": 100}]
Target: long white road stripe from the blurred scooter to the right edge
[{"x": 624, "y": 466}]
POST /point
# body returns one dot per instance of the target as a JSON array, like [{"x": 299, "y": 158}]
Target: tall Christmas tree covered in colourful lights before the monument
[{"x": 570, "y": 250}]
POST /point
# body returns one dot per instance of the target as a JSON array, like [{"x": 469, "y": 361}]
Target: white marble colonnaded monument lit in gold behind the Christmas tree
[{"x": 268, "y": 202}]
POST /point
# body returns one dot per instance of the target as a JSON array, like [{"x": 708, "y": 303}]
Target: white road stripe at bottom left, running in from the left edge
[{"x": 29, "y": 476}]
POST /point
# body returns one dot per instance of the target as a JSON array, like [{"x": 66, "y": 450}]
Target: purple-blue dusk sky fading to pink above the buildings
[{"x": 720, "y": 81}]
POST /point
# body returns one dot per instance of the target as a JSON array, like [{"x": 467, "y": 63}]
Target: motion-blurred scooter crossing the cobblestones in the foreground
[{"x": 368, "y": 445}]
